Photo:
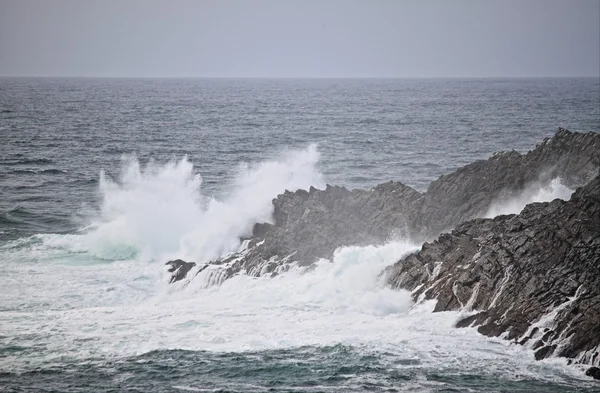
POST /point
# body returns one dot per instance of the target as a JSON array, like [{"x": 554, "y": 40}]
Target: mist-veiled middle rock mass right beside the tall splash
[{"x": 309, "y": 225}]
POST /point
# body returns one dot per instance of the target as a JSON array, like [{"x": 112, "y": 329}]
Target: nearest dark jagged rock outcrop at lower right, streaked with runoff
[{"x": 532, "y": 277}]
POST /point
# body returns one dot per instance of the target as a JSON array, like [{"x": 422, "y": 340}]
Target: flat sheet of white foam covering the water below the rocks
[{"x": 112, "y": 310}]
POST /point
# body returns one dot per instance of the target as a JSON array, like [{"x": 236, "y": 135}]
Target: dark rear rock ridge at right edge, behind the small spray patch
[{"x": 469, "y": 191}]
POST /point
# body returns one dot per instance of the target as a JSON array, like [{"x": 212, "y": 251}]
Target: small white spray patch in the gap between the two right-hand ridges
[{"x": 535, "y": 193}]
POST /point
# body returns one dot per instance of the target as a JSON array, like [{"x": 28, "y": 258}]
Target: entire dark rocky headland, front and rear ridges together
[{"x": 533, "y": 277}]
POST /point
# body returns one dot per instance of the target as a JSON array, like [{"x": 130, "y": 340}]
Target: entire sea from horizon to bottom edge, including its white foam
[{"x": 103, "y": 180}]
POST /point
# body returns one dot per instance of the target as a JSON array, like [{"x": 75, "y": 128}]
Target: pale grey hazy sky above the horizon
[{"x": 293, "y": 38}]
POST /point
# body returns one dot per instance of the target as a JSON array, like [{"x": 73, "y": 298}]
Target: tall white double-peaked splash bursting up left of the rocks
[{"x": 160, "y": 211}]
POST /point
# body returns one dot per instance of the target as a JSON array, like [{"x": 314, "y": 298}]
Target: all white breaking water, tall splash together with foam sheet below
[{"x": 94, "y": 296}]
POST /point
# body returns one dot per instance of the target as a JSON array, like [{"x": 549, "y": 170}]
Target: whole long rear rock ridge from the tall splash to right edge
[{"x": 308, "y": 225}]
